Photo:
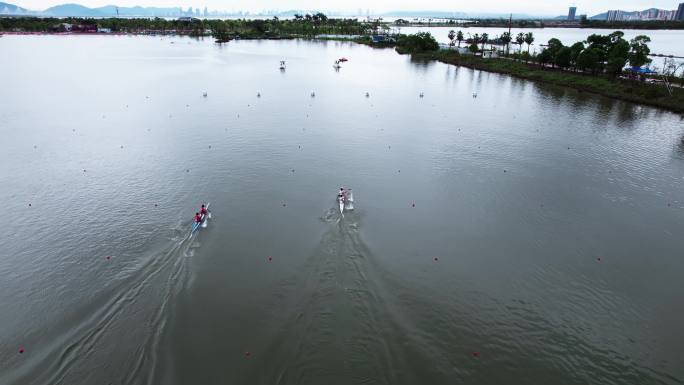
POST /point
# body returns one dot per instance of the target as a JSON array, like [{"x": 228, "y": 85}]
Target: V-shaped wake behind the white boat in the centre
[{"x": 339, "y": 330}]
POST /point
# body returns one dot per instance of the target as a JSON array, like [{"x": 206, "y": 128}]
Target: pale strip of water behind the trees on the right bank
[{"x": 666, "y": 42}]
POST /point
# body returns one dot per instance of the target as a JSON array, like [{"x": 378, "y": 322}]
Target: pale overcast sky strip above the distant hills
[{"x": 536, "y": 7}]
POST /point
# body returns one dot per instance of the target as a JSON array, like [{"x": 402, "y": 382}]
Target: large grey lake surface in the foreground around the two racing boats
[{"x": 531, "y": 234}]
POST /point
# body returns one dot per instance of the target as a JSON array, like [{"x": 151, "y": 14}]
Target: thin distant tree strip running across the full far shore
[{"x": 308, "y": 24}]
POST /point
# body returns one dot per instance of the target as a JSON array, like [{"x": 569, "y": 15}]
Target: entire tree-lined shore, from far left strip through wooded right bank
[{"x": 596, "y": 64}]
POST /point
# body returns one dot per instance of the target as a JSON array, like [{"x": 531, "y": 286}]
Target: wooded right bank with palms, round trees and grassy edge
[{"x": 607, "y": 65}]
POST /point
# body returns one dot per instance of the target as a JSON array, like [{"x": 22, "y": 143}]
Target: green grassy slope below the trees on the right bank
[{"x": 627, "y": 90}]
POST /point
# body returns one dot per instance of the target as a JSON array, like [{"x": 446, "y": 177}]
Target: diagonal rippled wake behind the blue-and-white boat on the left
[{"x": 116, "y": 334}]
